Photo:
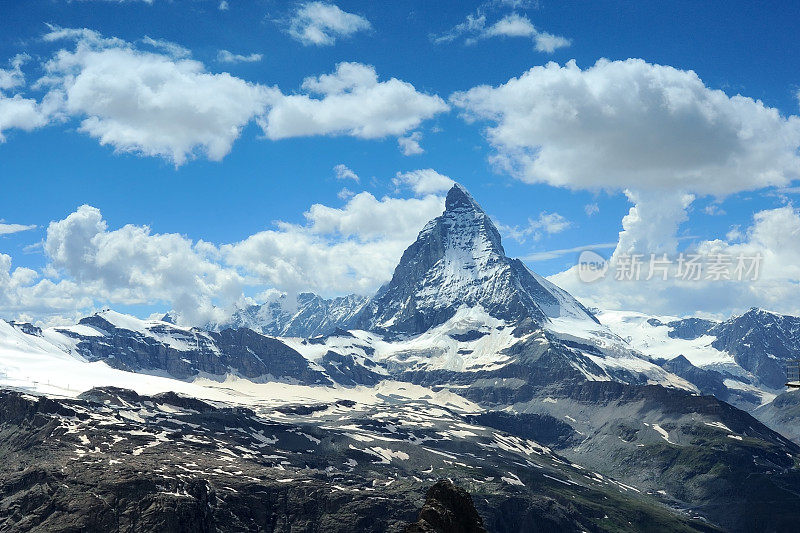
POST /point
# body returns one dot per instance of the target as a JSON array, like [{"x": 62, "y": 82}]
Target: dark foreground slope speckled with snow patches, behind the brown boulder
[{"x": 115, "y": 460}]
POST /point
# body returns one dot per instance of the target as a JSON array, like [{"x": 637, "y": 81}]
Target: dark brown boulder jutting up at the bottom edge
[{"x": 447, "y": 509}]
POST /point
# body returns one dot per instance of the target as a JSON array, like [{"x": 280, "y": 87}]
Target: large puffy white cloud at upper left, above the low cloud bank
[{"x": 148, "y": 103}]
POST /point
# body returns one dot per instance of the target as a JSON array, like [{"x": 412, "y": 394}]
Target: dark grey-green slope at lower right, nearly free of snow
[{"x": 705, "y": 454}]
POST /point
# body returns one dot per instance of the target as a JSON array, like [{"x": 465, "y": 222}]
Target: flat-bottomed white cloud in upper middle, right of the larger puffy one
[{"x": 352, "y": 102}]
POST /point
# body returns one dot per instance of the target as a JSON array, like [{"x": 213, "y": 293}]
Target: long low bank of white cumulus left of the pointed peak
[{"x": 353, "y": 248}]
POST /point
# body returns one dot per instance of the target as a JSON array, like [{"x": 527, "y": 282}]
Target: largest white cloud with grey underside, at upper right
[{"x": 633, "y": 125}]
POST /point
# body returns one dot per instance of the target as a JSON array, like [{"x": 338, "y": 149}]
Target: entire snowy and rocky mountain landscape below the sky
[{"x": 467, "y": 394}]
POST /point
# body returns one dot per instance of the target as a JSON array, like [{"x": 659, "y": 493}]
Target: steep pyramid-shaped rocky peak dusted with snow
[{"x": 458, "y": 260}]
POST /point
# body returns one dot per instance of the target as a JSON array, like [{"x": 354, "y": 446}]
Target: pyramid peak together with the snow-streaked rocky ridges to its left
[{"x": 455, "y": 305}]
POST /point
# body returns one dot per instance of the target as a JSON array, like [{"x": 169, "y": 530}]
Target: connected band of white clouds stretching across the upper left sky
[{"x": 159, "y": 102}]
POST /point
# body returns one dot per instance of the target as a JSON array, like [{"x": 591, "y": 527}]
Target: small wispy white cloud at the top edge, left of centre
[{"x": 320, "y": 24}]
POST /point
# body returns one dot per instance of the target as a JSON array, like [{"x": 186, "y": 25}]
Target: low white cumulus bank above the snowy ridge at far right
[{"x": 774, "y": 236}]
